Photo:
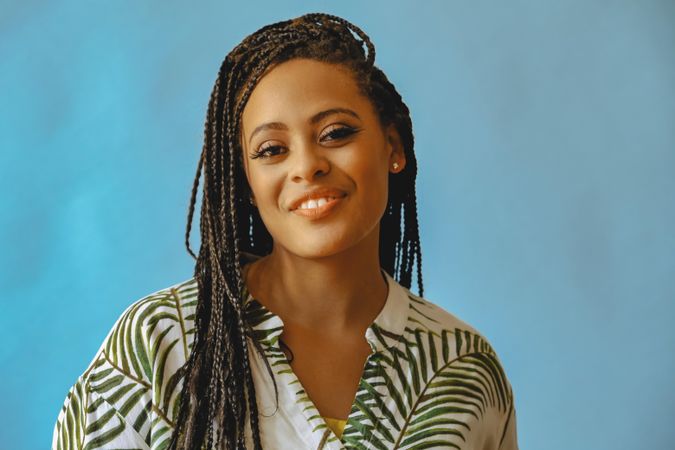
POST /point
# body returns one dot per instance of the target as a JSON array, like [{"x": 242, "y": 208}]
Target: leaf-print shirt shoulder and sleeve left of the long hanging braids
[{"x": 128, "y": 394}]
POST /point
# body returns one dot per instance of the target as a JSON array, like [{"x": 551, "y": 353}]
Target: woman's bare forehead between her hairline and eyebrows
[{"x": 297, "y": 89}]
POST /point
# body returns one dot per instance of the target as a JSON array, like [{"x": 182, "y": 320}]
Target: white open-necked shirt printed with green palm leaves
[{"x": 431, "y": 381}]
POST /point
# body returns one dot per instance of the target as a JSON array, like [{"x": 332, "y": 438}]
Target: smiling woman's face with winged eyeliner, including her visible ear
[{"x": 317, "y": 158}]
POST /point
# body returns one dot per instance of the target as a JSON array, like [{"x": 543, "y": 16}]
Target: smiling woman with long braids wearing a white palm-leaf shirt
[{"x": 298, "y": 329}]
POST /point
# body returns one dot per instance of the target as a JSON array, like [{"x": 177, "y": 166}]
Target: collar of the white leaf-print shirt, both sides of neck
[{"x": 385, "y": 332}]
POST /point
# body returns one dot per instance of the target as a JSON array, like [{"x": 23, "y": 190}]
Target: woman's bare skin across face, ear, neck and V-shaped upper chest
[{"x": 325, "y": 328}]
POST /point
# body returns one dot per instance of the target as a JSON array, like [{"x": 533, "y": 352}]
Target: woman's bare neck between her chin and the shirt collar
[{"x": 338, "y": 293}]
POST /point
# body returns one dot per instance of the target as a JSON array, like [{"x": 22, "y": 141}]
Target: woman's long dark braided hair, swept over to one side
[{"x": 218, "y": 393}]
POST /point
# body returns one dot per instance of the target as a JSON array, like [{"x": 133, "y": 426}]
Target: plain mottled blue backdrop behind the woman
[{"x": 546, "y": 146}]
